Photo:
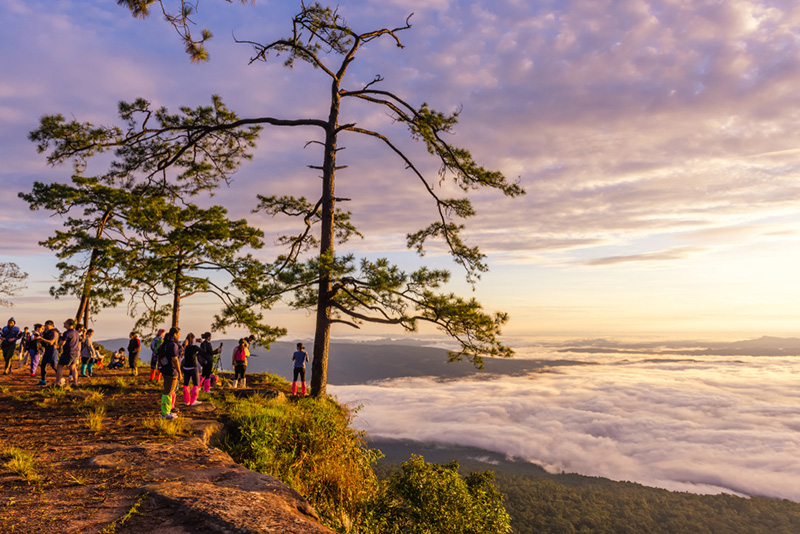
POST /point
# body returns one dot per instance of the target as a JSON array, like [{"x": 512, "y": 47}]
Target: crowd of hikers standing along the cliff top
[{"x": 71, "y": 352}]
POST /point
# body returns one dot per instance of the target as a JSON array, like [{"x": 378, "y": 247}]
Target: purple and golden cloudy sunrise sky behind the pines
[{"x": 658, "y": 143}]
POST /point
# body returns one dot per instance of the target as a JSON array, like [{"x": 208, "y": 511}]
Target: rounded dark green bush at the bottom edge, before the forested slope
[{"x": 426, "y": 498}]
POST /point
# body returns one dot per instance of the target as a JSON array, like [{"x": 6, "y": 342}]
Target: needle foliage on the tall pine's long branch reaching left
[{"x": 154, "y": 144}]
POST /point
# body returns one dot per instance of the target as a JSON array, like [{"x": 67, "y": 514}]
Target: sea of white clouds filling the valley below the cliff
[{"x": 703, "y": 425}]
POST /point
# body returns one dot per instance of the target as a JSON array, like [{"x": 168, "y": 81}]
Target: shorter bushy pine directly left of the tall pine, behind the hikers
[{"x": 181, "y": 251}]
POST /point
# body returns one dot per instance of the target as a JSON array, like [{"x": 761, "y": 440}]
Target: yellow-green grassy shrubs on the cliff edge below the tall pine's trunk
[{"x": 310, "y": 446}]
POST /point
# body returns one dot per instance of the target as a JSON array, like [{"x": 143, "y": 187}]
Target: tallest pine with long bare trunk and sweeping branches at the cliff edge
[{"x": 333, "y": 286}]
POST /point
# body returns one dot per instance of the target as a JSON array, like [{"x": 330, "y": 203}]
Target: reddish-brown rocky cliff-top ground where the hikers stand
[{"x": 130, "y": 474}]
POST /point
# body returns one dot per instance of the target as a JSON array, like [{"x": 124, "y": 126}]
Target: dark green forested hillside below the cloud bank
[{"x": 543, "y": 503}]
